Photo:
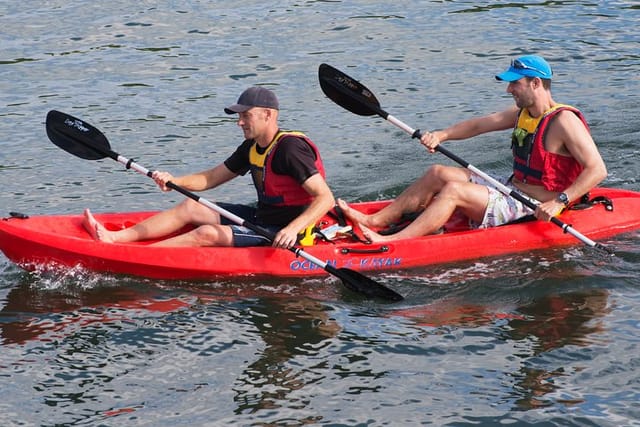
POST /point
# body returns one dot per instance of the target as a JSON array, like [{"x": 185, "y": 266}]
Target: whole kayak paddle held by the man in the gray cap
[{"x": 87, "y": 142}]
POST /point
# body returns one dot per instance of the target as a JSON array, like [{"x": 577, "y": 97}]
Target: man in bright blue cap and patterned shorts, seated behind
[{"x": 555, "y": 162}]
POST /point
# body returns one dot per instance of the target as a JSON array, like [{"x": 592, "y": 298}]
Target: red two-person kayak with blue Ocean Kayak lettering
[{"x": 37, "y": 242}]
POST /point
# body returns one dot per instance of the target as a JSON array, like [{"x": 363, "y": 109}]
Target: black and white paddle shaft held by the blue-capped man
[{"x": 415, "y": 133}]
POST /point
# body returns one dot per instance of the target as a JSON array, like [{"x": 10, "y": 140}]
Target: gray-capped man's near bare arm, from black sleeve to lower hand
[{"x": 323, "y": 200}]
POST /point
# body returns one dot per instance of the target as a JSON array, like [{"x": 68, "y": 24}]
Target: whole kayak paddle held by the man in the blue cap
[{"x": 353, "y": 96}]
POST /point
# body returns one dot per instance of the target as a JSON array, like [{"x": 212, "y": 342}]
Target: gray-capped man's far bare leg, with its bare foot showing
[{"x": 157, "y": 226}]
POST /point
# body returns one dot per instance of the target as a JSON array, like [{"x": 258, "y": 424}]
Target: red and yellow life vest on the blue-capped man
[{"x": 532, "y": 163}]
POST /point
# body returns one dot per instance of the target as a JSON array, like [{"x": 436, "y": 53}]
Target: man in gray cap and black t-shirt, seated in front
[{"x": 287, "y": 172}]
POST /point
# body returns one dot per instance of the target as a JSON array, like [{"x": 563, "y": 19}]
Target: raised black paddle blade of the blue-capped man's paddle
[{"x": 348, "y": 93}]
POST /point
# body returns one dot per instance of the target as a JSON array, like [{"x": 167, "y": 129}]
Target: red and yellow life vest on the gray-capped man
[{"x": 276, "y": 189}]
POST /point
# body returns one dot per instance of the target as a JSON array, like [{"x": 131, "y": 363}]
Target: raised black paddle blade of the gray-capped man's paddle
[{"x": 76, "y": 136}]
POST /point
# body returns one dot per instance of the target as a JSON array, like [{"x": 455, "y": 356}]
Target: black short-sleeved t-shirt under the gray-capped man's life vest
[{"x": 292, "y": 157}]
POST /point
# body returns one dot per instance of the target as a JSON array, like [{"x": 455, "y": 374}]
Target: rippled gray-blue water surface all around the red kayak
[{"x": 543, "y": 338}]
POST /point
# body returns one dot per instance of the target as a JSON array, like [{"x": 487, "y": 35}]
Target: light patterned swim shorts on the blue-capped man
[{"x": 501, "y": 208}]
